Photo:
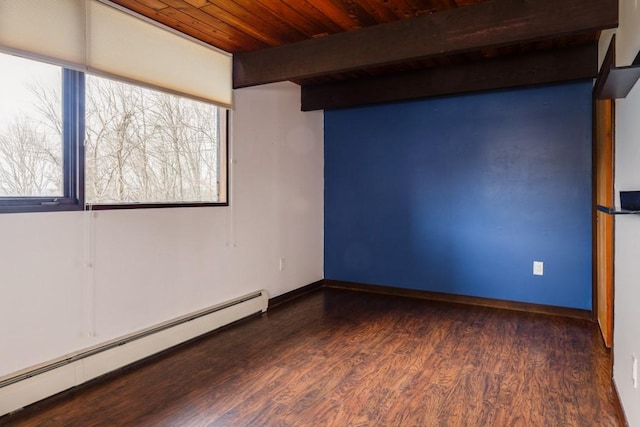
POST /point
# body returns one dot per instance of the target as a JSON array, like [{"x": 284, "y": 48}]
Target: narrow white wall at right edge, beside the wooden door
[{"x": 627, "y": 228}]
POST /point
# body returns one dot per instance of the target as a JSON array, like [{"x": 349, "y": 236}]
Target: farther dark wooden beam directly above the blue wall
[{"x": 534, "y": 68}]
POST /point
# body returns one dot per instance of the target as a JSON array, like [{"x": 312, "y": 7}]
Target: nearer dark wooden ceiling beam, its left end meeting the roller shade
[{"x": 489, "y": 24}]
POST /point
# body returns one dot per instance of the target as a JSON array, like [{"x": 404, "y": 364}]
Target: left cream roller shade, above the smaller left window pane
[{"x": 45, "y": 29}]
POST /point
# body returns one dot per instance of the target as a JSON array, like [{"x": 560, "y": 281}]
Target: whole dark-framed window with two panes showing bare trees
[{"x": 141, "y": 148}]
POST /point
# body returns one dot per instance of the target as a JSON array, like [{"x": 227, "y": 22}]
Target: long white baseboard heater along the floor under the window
[{"x": 32, "y": 385}]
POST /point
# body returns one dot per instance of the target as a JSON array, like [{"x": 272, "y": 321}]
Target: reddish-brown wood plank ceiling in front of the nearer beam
[{"x": 246, "y": 25}]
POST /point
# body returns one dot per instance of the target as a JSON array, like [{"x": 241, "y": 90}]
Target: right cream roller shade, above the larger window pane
[{"x": 128, "y": 47}]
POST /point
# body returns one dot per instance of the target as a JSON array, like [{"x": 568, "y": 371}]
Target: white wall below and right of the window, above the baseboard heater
[{"x": 151, "y": 265}]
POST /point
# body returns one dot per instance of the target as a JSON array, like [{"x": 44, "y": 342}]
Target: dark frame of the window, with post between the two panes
[{"x": 73, "y": 199}]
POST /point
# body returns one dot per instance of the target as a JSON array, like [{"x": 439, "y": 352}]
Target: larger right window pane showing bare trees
[{"x": 145, "y": 146}]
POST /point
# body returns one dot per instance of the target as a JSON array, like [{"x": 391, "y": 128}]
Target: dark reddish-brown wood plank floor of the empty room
[{"x": 342, "y": 358}]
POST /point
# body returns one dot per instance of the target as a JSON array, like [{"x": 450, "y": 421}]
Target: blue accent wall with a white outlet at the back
[{"x": 461, "y": 195}]
